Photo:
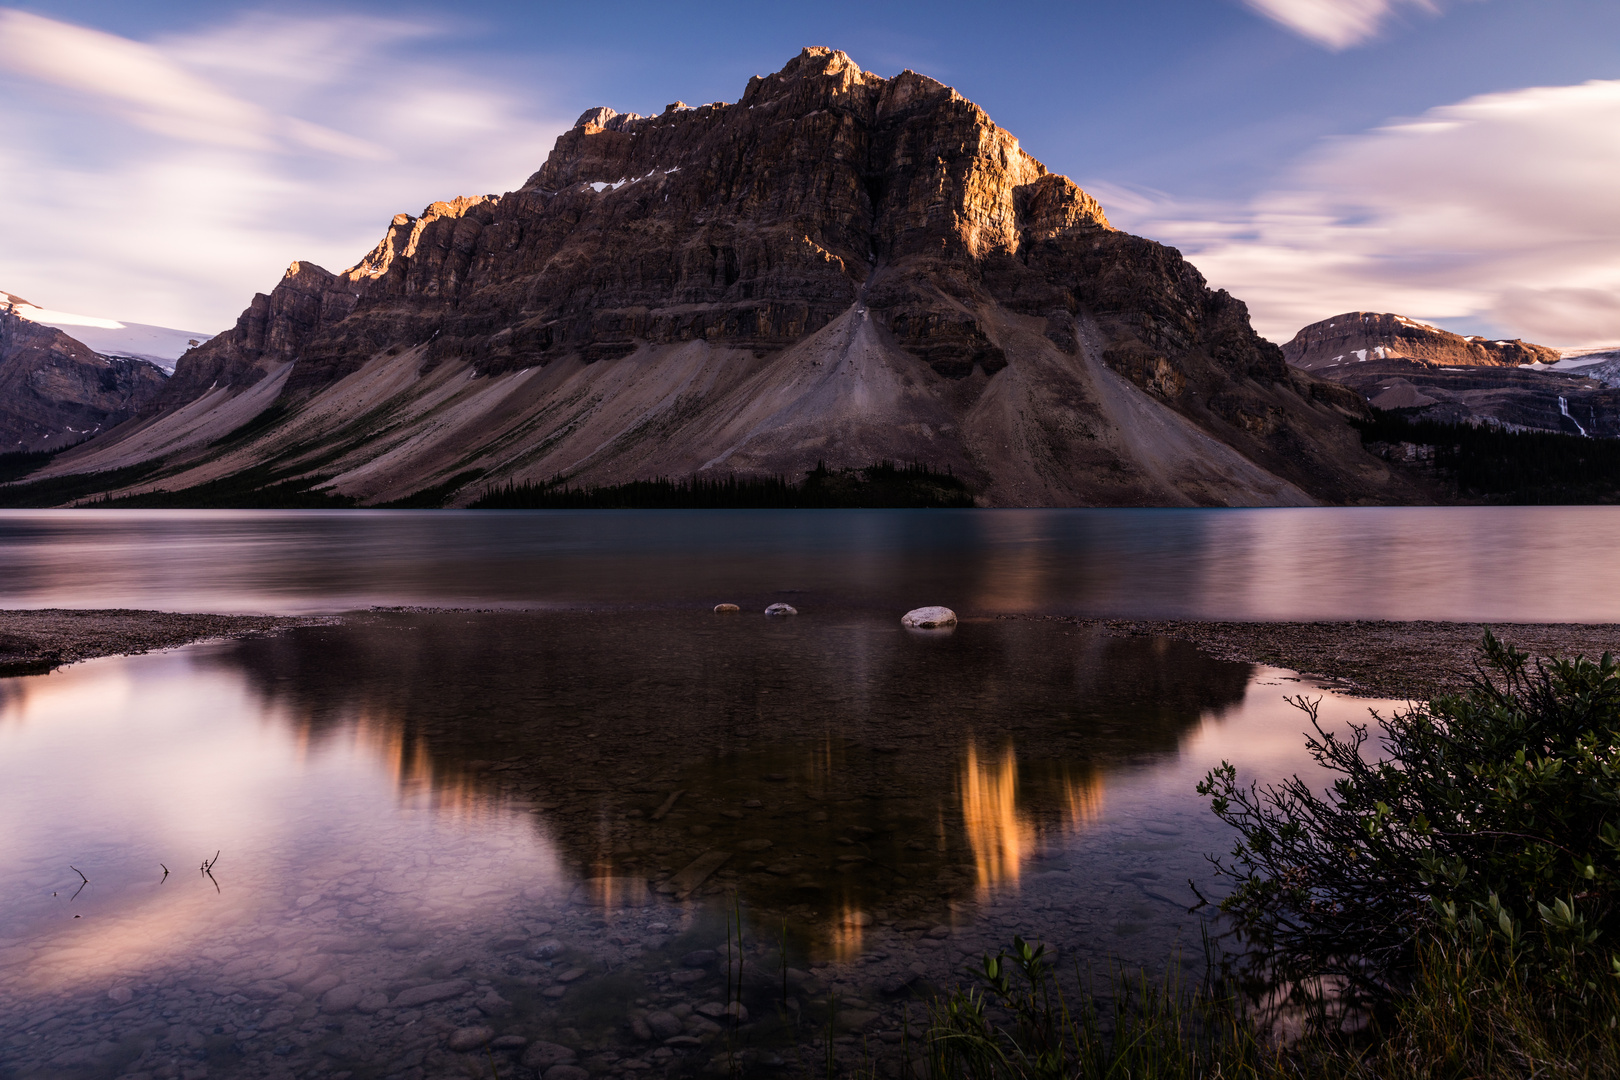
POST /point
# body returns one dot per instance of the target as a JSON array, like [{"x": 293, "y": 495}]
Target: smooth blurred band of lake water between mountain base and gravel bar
[{"x": 1532, "y": 564}]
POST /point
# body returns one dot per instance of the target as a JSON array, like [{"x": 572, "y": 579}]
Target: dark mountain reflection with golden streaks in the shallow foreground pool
[{"x": 842, "y": 762}]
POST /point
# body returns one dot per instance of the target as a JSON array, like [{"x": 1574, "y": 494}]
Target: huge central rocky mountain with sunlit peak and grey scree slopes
[{"x": 837, "y": 268}]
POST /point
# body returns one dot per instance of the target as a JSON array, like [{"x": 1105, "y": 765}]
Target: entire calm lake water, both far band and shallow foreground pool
[{"x": 565, "y": 840}]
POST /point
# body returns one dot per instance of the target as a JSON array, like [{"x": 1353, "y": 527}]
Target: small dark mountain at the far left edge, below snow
[{"x": 56, "y": 391}]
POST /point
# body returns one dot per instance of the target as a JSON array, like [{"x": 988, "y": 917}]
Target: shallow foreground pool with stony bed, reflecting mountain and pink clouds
[{"x": 558, "y": 825}]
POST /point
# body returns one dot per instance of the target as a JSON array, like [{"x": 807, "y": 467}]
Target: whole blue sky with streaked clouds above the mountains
[{"x": 1452, "y": 161}]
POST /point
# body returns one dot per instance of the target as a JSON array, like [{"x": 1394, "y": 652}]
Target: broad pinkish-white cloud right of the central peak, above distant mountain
[{"x": 1498, "y": 211}]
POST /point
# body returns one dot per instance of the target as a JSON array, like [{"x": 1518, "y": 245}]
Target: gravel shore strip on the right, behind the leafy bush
[{"x": 1373, "y": 660}]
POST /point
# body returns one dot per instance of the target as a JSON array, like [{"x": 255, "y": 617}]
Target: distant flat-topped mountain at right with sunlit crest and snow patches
[{"x": 1428, "y": 373}]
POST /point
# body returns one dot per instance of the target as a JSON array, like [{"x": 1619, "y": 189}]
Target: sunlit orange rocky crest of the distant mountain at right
[{"x": 1366, "y": 336}]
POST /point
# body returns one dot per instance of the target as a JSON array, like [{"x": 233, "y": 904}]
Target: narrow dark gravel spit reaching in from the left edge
[{"x": 36, "y": 642}]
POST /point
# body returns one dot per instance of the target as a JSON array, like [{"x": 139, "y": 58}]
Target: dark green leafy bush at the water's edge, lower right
[{"x": 1488, "y": 819}]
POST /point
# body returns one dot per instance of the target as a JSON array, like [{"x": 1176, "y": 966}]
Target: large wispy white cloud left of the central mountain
[{"x": 169, "y": 181}]
